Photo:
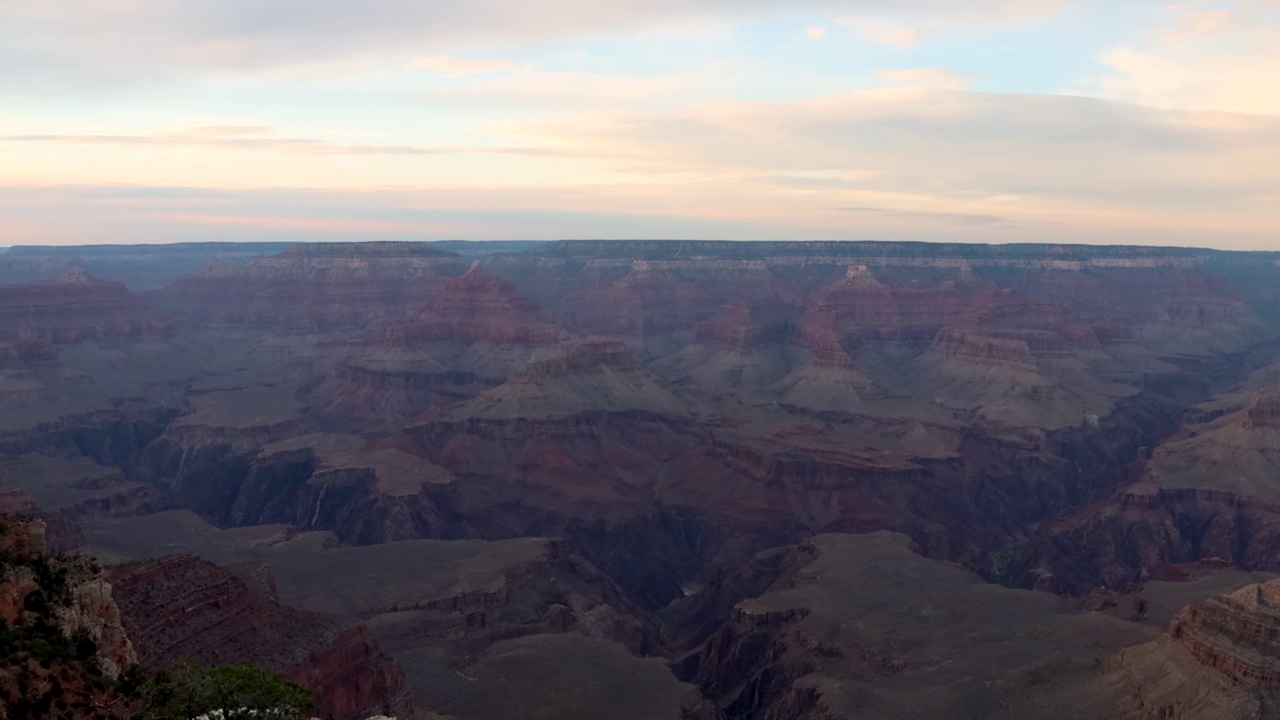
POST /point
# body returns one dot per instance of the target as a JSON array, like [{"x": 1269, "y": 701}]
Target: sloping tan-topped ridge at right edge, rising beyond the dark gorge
[{"x": 1210, "y": 493}]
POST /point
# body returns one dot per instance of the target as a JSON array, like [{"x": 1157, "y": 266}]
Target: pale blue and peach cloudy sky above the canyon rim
[{"x": 984, "y": 121}]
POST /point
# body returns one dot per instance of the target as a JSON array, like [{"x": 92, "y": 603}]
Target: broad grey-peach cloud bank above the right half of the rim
[{"x": 1076, "y": 167}]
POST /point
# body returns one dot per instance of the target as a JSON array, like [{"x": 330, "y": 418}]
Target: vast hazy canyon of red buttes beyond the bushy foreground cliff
[{"x": 701, "y": 481}]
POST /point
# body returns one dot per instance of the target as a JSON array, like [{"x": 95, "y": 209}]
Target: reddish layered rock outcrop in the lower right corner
[{"x": 1237, "y": 635}]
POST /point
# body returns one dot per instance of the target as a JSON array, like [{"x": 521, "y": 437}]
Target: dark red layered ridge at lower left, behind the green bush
[{"x": 185, "y": 608}]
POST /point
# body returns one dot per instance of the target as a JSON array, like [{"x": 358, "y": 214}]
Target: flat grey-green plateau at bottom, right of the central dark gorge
[{"x": 862, "y": 627}]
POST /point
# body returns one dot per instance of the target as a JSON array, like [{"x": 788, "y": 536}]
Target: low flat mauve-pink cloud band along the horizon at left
[{"x": 126, "y": 215}]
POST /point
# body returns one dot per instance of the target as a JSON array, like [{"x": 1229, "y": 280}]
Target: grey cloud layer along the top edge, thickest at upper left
[{"x": 115, "y": 42}]
